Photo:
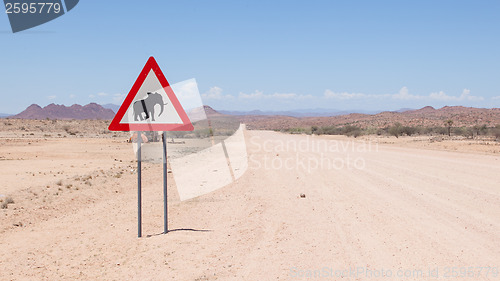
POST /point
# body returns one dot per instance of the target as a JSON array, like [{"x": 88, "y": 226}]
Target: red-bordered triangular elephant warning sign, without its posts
[{"x": 151, "y": 105}]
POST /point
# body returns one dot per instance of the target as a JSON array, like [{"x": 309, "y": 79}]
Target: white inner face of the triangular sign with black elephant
[{"x": 151, "y": 105}]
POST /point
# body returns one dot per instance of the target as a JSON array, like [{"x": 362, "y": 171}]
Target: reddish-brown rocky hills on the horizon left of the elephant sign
[{"x": 56, "y": 111}]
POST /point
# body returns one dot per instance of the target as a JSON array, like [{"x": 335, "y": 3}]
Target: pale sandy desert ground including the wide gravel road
[{"x": 307, "y": 208}]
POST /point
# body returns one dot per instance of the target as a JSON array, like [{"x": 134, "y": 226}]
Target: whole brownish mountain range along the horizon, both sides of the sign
[{"x": 462, "y": 116}]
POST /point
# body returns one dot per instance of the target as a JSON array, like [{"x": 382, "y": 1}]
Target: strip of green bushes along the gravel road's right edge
[{"x": 397, "y": 130}]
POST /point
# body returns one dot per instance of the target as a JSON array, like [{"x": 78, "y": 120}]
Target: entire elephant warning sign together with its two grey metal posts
[{"x": 151, "y": 105}]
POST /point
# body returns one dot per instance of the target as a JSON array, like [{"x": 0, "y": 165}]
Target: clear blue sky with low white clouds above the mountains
[{"x": 268, "y": 55}]
